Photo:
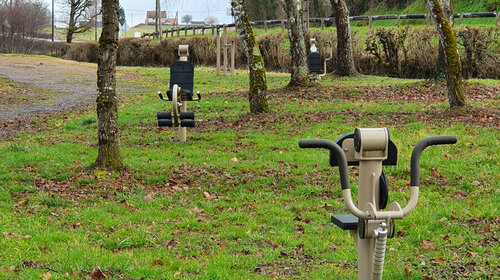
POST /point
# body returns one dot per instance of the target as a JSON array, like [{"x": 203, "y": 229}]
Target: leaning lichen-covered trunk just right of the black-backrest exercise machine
[{"x": 258, "y": 85}]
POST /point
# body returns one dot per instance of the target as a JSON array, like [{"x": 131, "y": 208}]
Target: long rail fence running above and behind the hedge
[{"x": 214, "y": 29}]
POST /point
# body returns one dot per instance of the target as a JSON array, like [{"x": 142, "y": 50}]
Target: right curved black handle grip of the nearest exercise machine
[{"x": 415, "y": 155}]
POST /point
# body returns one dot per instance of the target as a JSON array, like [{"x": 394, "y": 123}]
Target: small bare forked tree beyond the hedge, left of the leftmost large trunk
[{"x": 80, "y": 16}]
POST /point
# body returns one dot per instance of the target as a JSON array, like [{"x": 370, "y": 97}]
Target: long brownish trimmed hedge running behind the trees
[{"x": 397, "y": 52}]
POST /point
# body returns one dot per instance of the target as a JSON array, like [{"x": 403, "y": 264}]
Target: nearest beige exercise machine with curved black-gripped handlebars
[{"x": 370, "y": 149}]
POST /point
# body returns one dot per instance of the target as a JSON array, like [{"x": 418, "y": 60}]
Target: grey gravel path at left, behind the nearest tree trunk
[{"x": 52, "y": 85}]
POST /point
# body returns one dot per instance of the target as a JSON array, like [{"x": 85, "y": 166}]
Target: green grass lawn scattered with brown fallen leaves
[{"x": 239, "y": 199}]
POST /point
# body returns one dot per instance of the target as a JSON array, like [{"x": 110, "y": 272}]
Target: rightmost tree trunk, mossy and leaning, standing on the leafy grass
[{"x": 456, "y": 91}]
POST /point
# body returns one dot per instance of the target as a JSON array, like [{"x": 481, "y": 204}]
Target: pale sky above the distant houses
[{"x": 135, "y": 10}]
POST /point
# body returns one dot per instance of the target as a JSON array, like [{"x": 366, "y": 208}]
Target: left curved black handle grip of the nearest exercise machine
[{"x": 336, "y": 151}]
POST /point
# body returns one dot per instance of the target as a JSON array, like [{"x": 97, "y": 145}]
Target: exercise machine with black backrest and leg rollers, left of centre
[{"x": 181, "y": 91}]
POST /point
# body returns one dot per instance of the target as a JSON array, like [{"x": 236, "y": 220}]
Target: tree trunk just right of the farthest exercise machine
[{"x": 345, "y": 61}]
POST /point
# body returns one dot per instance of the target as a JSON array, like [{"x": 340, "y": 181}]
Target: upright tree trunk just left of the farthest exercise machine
[{"x": 299, "y": 71}]
